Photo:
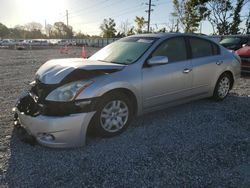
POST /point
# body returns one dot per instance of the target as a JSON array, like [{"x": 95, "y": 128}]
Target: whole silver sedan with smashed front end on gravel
[{"x": 127, "y": 78}]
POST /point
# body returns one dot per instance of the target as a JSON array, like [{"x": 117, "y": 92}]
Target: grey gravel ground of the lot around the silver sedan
[{"x": 200, "y": 144}]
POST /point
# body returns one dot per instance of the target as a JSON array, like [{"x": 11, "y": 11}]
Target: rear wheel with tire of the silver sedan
[{"x": 222, "y": 87}]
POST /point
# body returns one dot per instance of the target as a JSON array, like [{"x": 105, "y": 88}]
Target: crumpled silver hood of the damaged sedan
[{"x": 67, "y": 70}]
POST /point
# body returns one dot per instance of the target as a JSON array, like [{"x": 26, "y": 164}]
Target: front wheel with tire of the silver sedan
[{"x": 113, "y": 115}]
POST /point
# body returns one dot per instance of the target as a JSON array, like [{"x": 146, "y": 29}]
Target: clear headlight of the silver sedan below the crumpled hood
[{"x": 69, "y": 91}]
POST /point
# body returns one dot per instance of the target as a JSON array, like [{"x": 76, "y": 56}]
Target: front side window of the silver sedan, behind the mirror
[{"x": 174, "y": 49}]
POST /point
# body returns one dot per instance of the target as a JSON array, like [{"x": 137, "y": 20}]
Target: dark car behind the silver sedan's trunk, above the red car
[{"x": 235, "y": 43}]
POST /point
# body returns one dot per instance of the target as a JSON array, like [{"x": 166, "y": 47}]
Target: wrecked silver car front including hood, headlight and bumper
[{"x": 58, "y": 122}]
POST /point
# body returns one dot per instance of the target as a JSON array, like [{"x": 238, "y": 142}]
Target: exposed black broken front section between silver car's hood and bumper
[{"x": 34, "y": 103}]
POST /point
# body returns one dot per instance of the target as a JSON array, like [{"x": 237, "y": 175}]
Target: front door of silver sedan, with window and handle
[{"x": 171, "y": 81}]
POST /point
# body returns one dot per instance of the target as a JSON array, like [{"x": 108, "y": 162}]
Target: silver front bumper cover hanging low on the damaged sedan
[{"x": 57, "y": 131}]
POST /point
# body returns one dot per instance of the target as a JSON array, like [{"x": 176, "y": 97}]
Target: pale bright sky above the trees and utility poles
[{"x": 85, "y": 15}]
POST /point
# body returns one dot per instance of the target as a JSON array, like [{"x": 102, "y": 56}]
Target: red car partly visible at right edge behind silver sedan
[{"x": 244, "y": 54}]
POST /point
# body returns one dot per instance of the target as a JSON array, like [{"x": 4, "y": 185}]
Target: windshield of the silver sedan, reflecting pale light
[{"x": 124, "y": 51}]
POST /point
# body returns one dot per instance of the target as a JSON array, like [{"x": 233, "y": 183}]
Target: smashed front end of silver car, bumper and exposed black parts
[{"x": 52, "y": 123}]
